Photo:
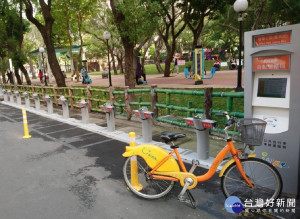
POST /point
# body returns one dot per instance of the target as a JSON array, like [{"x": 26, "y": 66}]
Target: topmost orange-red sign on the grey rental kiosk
[{"x": 272, "y": 39}]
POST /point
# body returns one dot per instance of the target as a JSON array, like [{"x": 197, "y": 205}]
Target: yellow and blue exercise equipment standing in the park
[{"x": 198, "y": 67}]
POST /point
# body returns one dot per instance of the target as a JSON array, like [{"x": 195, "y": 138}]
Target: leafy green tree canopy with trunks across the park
[{"x": 135, "y": 25}]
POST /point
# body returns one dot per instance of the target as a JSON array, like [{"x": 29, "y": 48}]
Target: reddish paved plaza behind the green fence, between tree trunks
[{"x": 222, "y": 79}]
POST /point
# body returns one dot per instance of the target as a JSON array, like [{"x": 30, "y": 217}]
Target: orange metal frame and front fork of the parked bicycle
[{"x": 212, "y": 170}]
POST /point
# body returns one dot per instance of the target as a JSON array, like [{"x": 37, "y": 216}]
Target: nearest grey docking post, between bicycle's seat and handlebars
[{"x": 202, "y": 127}]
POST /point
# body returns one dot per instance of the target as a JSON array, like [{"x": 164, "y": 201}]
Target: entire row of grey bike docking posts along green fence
[{"x": 200, "y": 123}]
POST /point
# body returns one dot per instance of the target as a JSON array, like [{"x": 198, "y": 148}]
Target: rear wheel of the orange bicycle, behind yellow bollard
[{"x": 151, "y": 188}]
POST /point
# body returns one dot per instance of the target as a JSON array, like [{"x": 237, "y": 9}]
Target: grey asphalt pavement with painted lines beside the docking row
[{"x": 67, "y": 172}]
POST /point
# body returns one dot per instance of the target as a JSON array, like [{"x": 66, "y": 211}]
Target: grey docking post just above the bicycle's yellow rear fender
[{"x": 146, "y": 117}]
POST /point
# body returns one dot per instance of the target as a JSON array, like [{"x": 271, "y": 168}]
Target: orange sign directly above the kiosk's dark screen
[{"x": 271, "y": 63}]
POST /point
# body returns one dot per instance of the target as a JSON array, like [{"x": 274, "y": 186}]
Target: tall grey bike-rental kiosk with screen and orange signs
[{"x": 272, "y": 94}]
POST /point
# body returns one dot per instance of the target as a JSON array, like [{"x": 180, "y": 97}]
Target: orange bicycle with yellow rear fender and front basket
[{"x": 150, "y": 171}]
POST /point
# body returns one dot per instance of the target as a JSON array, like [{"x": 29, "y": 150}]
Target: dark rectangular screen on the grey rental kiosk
[{"x": 272, "y": 87}]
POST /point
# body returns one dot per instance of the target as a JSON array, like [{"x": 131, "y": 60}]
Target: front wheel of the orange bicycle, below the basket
[{"x": 265, "y": 178}]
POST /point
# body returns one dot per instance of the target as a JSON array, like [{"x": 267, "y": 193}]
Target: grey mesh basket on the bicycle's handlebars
[{"x": 252, "y": 131}]
